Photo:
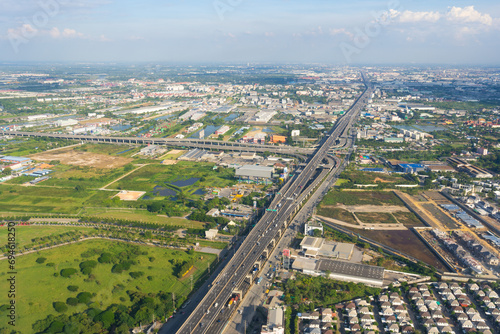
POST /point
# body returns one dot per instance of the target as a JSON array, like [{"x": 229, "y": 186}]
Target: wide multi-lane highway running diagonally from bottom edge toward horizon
[{"x": 211, "y": 314}]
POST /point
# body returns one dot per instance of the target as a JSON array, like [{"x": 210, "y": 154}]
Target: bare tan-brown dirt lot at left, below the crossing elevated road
[{"x": 78, "y": 158}]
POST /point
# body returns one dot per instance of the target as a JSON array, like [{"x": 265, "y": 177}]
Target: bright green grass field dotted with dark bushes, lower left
[{"x": 37, "y": 287}]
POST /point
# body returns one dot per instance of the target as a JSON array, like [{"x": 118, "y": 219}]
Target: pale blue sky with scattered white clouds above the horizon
[{"x": 333, "y": 31}]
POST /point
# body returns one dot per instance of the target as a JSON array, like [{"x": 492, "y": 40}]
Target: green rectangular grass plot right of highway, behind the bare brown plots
[{"x": 361, "y": 198}]
